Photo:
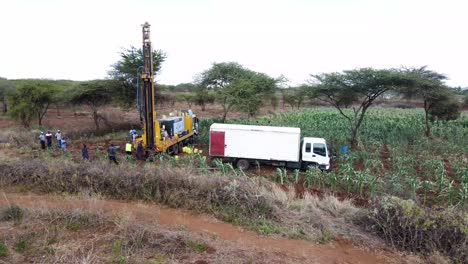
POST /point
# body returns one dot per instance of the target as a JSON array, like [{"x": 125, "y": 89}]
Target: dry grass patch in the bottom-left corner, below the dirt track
[{"x": 54, "y": 236}]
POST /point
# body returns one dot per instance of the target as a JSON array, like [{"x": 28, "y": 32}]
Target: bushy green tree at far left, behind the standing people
[{"x": 31, "y": 99}]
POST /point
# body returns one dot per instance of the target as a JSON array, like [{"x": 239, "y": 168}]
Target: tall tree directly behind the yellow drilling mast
[{"x": 126, "y": 71}]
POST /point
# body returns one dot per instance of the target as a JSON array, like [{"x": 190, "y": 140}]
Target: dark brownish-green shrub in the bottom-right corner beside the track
[{"x": 405, "y": 225}]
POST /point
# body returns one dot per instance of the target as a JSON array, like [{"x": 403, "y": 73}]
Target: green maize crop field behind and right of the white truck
[{"x": 394, "y": 156}]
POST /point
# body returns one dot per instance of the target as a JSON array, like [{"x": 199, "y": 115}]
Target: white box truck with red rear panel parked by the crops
[{"x": 278, "y": 146}]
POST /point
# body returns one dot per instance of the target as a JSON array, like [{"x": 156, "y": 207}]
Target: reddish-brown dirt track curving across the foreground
[{"x": 307, "y": 252}]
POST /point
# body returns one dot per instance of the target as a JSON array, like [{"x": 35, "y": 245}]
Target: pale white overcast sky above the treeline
[{"x": 80, "y": 39}]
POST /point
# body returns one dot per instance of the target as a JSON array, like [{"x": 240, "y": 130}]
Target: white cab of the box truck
[{"x": 315, "y": 153}]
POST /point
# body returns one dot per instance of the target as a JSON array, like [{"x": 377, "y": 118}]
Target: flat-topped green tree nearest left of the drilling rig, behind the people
[{"x": 95, "y": 94}]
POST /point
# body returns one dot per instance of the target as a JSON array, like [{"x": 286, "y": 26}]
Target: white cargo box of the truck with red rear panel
[{"x": 255, "y": 142}]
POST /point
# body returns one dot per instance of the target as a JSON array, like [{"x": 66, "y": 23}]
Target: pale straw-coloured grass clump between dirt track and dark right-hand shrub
[{"x": 317, "y": 219}]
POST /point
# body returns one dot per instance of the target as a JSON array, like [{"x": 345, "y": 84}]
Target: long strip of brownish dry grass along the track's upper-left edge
[{"x": 177, "y": 187}]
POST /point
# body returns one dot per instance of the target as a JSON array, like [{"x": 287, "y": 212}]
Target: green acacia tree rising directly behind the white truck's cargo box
[{"x": 237, "y": 87}]
